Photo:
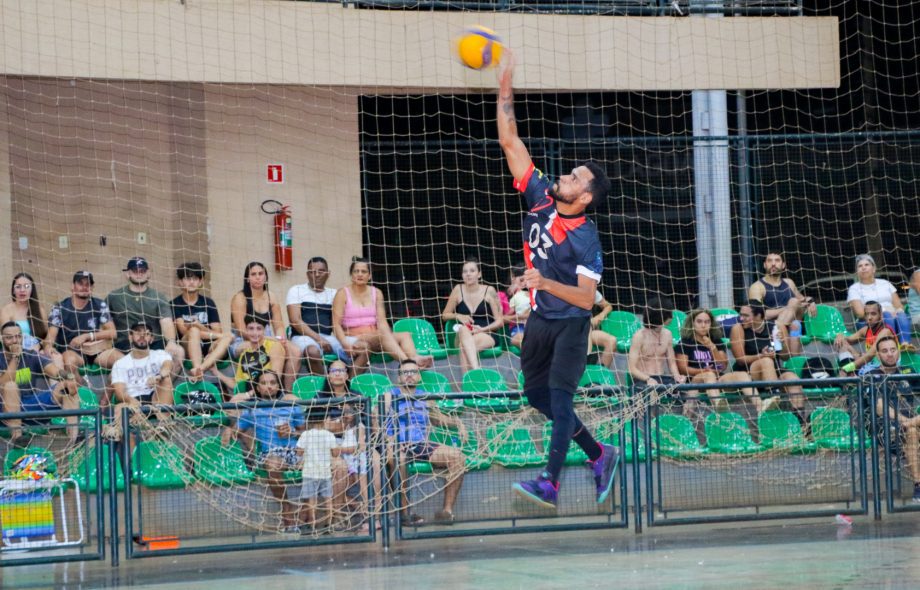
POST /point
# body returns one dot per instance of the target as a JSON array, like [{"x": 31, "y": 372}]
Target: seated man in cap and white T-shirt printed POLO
[{"x": 142, "y": 377}]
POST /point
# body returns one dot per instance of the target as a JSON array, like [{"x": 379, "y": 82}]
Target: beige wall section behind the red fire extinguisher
[{"x": 314, "y": 134}]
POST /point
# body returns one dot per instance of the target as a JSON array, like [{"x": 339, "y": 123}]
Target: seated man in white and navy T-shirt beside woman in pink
[{"x": 309, "y": 309}]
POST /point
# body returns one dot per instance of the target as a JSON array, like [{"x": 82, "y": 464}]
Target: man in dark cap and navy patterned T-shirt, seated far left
[{"x": 81, "y": 328}]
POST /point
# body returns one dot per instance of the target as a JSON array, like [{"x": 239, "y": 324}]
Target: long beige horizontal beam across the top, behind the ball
[{"x": 253, "y": 41}]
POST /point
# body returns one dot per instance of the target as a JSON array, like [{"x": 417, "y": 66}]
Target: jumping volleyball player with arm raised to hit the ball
[{"x": 564, "y": 265}]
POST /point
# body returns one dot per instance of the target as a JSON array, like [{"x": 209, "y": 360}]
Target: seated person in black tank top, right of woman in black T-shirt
[{"x": 752, "y": 346}]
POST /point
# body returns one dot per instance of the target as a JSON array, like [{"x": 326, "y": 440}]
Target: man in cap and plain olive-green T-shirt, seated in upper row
[{"x": 139, "y": 302}]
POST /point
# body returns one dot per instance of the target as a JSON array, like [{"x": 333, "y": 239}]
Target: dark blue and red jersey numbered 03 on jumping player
[{"x": 560, "y": 247}]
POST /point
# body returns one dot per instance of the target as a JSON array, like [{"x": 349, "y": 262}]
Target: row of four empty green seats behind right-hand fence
[{"x": 728, "y": 433}]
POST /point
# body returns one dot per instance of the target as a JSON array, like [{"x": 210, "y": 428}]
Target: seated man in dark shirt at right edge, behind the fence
[{"x": 902, "y": 404}]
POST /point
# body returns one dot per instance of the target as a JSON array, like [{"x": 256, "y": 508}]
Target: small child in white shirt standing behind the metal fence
[{"x": 318, "y": 447}]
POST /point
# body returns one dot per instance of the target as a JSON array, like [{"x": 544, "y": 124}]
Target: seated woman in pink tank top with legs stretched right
[{"x": 360, "y": 323}]
